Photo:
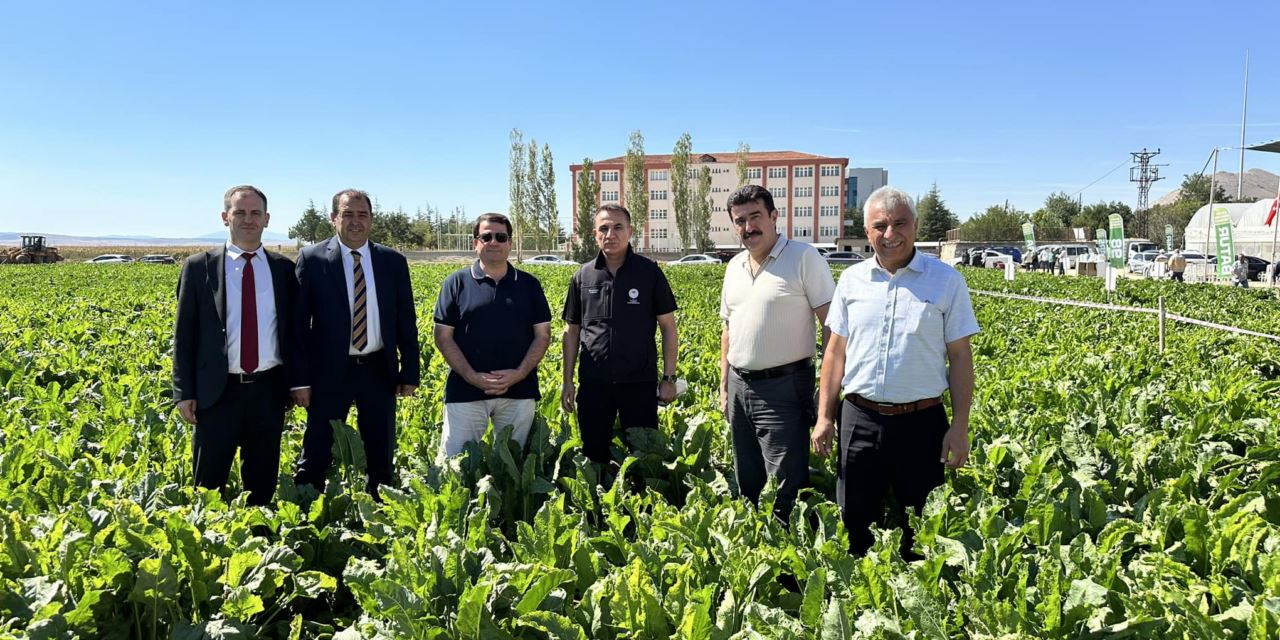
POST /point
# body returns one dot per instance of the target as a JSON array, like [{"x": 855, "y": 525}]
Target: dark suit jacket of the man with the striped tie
[{"x": 323, "y": 317}]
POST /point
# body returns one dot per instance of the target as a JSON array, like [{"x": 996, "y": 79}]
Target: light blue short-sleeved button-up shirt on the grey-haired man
[{"x": 899, "y": 326}]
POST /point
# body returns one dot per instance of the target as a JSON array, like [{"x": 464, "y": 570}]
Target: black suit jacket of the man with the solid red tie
[{"x": 200, "y": 359}]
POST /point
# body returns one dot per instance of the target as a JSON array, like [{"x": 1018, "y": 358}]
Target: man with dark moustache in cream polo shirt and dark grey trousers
[{"x": 772, "y": 295}]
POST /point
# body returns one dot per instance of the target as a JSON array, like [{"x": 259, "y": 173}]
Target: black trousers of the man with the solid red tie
[{"x": 250, "y": 418}]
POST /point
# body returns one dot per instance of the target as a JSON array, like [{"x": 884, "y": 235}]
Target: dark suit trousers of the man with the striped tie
[{"x": 365, "y": 385}]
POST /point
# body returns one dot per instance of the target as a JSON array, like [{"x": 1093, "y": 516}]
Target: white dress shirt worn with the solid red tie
[{"x": 264, "y": 292}]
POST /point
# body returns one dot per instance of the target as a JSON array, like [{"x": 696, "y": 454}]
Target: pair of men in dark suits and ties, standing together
[{"x": 255, "y": 335}]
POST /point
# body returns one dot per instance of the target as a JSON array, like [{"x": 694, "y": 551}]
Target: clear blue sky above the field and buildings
[{"x": 134, "y": 120}]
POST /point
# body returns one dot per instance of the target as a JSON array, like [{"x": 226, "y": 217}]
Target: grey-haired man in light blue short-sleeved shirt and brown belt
[{"x": 900, "y": 328}]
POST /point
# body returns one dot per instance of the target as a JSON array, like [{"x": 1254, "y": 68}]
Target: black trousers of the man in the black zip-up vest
[{"x": 600, "y": 406}]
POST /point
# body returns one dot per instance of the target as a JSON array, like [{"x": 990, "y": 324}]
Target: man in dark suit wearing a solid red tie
[{"x": 231, "y": 349}]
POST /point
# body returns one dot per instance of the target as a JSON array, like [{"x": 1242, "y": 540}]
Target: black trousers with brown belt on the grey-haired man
[{"x": 880, "y": 454}]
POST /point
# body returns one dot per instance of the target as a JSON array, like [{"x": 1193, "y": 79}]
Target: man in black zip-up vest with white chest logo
[{"x": 614, "y": 305}]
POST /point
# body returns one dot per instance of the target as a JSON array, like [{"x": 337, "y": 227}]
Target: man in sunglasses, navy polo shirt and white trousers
[{"x": 493, "y": 327}]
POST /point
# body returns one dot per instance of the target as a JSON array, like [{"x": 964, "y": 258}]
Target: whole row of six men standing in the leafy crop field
[{"x": 257, "y": 333}]
